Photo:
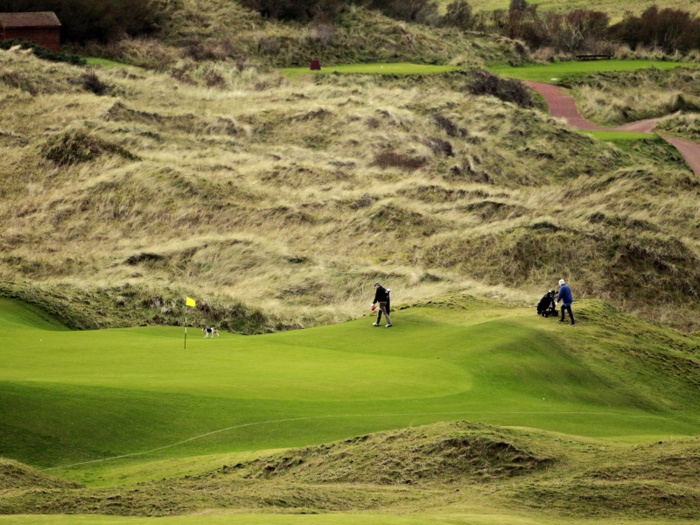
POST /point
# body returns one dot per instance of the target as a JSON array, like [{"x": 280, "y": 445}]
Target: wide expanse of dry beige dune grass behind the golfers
[{"x": 267, "y": 191}]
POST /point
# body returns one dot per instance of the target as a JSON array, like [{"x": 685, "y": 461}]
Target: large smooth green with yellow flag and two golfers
[{"x": 74, "y": 397}]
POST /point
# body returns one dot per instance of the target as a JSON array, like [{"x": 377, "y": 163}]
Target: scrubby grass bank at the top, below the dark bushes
[{"x": 213, "y": 30}]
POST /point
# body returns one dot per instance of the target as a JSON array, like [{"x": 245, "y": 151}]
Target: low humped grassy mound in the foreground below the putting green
[{"x": 445, "y": 453}]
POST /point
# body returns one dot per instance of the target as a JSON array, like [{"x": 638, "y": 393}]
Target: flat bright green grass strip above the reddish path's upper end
[{"x": 559, "y": 71}]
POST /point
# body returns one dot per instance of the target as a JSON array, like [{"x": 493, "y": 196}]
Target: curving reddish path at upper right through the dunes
[{"x": 562, "y": 105}]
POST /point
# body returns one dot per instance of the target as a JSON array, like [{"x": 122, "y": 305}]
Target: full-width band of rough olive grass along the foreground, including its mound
[{"x": 425, "y": 467}]
